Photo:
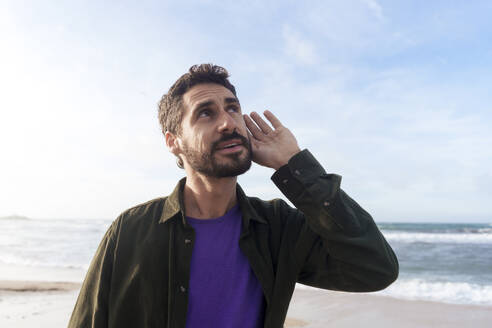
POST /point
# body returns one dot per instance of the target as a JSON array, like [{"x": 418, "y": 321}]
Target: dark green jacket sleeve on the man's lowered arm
[{"x": 91, "y": 308}]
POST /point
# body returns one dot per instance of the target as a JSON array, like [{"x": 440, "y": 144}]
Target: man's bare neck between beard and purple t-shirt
[{"x": 206, "y": 198}]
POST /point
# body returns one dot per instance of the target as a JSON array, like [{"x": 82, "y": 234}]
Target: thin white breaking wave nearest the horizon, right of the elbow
[{"x": 464, "y": 238}]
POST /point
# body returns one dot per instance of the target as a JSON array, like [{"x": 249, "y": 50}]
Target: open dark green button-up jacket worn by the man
[{"x": 140, "y": 272}]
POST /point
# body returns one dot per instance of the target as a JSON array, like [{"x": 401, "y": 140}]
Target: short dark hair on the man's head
[{"x": 170, "y": 112}]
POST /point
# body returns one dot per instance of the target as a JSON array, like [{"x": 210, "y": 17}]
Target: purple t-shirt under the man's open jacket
[{"x": 223, "y": 290}]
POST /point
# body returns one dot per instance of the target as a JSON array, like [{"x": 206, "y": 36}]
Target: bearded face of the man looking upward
[{"x": 214, "y": 138}]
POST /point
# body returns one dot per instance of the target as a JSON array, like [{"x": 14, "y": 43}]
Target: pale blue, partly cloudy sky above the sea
[{"x": 392, "y": 95}]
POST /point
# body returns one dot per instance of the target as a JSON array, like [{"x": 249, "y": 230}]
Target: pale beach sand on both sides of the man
[{"x": 49, "y": 304}]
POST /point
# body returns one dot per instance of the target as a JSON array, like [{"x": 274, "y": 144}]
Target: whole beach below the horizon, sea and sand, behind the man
[{"x": 444, "y": 278}]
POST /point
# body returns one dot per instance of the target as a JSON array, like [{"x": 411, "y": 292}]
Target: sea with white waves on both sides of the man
[{"x": 441, "y": 262}]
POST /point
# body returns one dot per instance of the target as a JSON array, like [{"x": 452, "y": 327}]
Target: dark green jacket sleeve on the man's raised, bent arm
[{"x": 337, "y": 245}]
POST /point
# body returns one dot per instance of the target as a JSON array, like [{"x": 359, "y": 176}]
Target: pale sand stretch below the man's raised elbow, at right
[{"x": 316, "y": 308}]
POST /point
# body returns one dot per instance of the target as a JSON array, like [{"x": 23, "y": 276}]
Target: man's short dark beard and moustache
[{"x": 207, "y": 164}]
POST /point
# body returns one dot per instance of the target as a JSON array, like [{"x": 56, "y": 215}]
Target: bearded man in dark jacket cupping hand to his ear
[{"x": 209, "y": 256}]
